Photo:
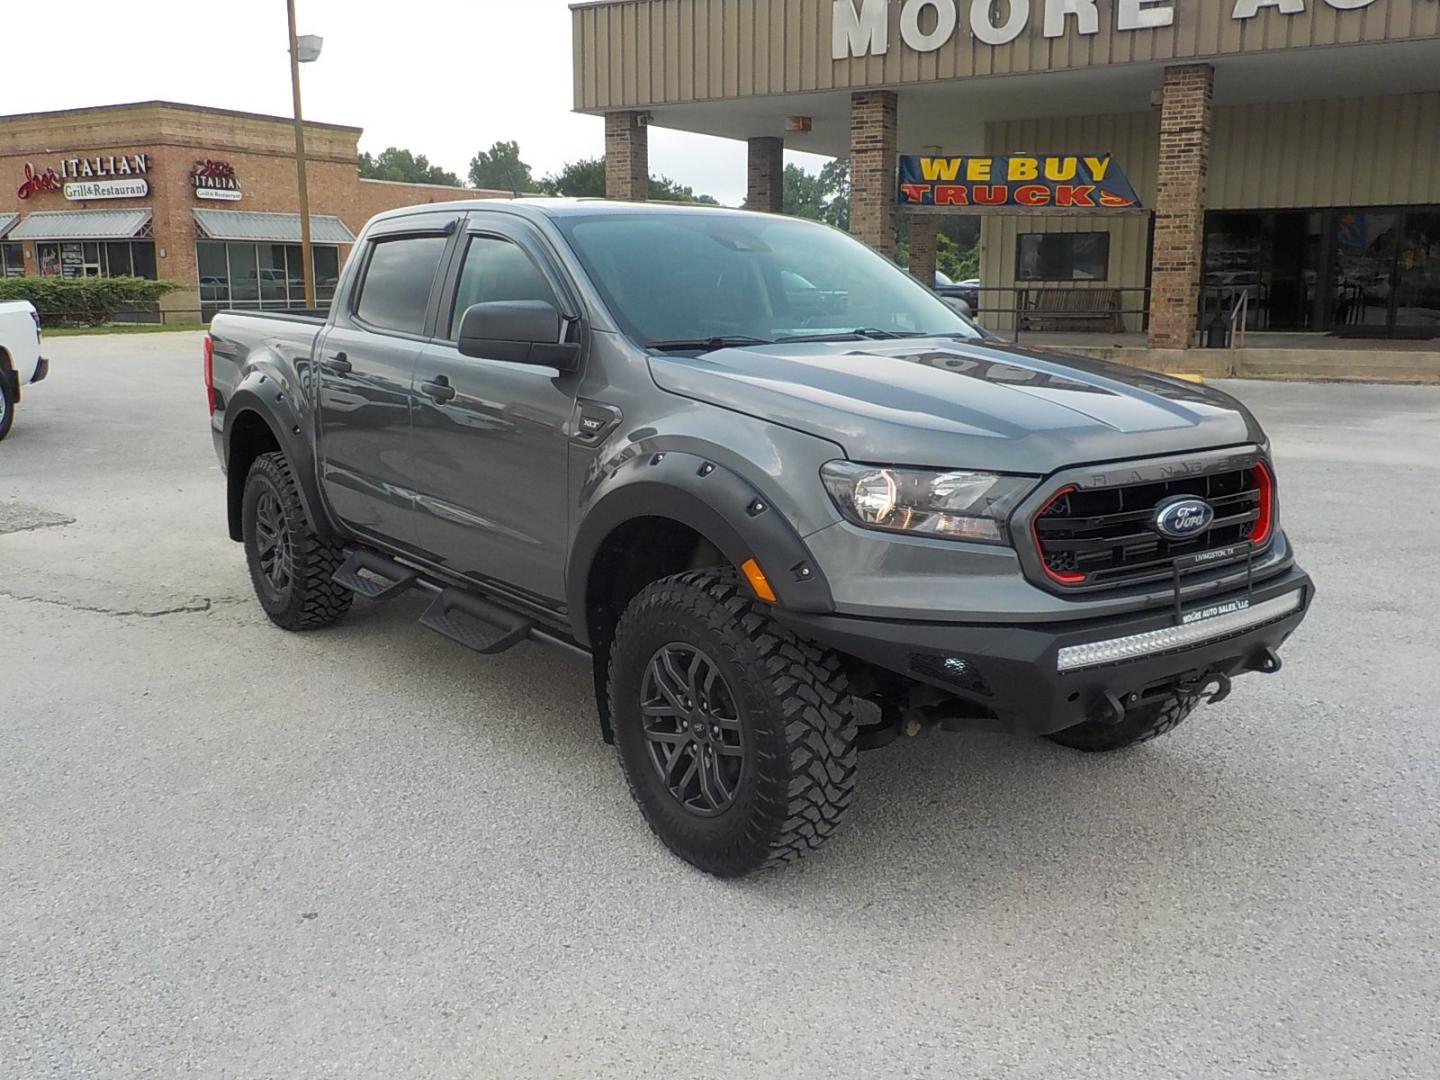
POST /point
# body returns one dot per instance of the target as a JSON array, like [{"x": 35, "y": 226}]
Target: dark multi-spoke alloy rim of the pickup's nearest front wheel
[{"x": 693, "y": 729}]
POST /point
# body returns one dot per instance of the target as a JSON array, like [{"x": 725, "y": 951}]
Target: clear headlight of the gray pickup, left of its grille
[{"x": 955, "y": 506}]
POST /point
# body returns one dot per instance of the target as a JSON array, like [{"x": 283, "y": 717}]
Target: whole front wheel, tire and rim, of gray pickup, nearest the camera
[{"x": 737, "y": 738}]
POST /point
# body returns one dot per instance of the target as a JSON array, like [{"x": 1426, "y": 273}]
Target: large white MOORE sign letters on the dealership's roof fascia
[{"x": 862, "y": 28}]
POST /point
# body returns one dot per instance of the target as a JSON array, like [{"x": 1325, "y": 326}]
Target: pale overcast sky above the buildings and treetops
[{"x": 443, "y": 78}]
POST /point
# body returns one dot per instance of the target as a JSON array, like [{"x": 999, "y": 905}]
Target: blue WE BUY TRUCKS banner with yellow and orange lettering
[{"x": 1027, "y": 182}]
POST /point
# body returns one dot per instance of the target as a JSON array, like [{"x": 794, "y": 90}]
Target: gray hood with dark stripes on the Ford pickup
[{"x": 957, "y": 404}]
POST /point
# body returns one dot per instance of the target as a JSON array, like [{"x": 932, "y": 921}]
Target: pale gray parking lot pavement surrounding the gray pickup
[{"x": 230, "y": 852}]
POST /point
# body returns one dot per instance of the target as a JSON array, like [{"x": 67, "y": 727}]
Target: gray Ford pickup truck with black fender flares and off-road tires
[{"x": 784, "y": 500}]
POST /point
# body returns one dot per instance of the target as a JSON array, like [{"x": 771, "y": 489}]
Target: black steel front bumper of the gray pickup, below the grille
[{"x": 1014, "y": 672}]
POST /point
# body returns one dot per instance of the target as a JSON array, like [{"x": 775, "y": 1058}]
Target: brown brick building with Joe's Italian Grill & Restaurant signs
[{"x": 201, "y": 197}]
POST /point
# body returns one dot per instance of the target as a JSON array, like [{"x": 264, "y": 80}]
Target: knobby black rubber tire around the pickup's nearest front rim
[{"x": 798, "y": 767}]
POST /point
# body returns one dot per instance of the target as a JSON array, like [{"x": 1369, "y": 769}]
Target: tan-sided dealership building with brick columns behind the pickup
[{"x": 1284, "y": 150}]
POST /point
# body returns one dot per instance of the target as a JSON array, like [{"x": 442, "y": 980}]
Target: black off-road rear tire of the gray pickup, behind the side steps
[{"x": 307, "y": 598}]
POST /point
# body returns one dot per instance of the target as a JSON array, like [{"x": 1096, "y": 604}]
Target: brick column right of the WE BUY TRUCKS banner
[{"x": 1180, "y": 205}]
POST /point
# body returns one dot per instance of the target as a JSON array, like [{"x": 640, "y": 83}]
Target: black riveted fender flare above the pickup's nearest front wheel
[{"x": 715, "y": 502}]
